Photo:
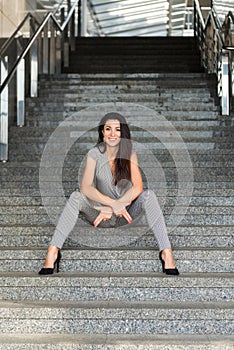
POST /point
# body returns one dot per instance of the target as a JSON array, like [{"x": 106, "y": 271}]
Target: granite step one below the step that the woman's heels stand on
[{"x": 144, "y": 318}]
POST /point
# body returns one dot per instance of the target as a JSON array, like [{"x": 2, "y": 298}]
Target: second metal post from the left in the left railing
[{"x": 20, "y": 93}]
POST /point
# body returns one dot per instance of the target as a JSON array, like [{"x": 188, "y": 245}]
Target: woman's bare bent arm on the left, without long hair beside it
[{"x": 88, "y": 189}]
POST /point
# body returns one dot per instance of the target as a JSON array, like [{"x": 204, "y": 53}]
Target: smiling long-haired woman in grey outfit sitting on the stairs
[{"x": 111, "y": 194}]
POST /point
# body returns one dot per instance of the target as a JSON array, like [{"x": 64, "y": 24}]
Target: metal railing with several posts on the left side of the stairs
[{"x": 47, "y": 50}]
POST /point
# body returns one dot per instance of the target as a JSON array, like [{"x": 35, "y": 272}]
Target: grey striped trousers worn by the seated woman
[{"x": 78, "y": 203}]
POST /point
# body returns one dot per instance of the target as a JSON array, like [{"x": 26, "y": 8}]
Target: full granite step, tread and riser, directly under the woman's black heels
[{"x": 197, "y": 287}]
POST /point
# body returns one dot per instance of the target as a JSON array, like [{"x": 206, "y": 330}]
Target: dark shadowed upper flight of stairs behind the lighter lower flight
[{"x": 135, "y": 55}]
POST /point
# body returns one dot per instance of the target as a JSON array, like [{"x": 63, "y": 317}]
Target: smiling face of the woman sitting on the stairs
[{"x": 112, "y": 133}]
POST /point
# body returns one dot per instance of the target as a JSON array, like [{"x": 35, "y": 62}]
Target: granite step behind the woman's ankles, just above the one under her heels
[{"x": 121, "y": 260}]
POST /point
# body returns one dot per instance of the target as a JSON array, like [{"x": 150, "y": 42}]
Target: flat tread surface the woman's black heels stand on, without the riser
[{"x": 135, "y": 279}]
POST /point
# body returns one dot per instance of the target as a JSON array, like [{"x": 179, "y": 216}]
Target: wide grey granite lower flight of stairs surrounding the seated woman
[{"x": 116, "y": 297}]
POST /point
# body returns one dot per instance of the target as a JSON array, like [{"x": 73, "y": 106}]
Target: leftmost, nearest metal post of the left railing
[{"x": 4, "y": 113}]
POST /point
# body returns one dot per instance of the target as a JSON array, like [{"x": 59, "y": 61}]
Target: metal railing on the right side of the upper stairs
[{"x": 216, "y": 44}]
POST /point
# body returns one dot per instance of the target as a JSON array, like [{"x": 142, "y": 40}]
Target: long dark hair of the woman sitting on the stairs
[{"x": 122, "y": 160}]
